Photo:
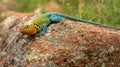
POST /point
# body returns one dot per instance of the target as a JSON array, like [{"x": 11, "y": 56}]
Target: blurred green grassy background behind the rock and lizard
[{"x": 101, "y": 11}]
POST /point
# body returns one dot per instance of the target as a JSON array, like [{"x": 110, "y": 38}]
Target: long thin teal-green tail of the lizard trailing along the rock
[{"x": 80, "y": 20}]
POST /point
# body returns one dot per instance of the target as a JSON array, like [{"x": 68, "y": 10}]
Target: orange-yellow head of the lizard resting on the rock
[{"x": 28, "y": 29}]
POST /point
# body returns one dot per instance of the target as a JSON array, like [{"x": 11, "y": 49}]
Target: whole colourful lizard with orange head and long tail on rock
[{"x": 39, "y": 25}]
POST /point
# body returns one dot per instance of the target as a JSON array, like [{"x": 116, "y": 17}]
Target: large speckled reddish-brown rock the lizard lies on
[{"x": 71, "y": 44}]
